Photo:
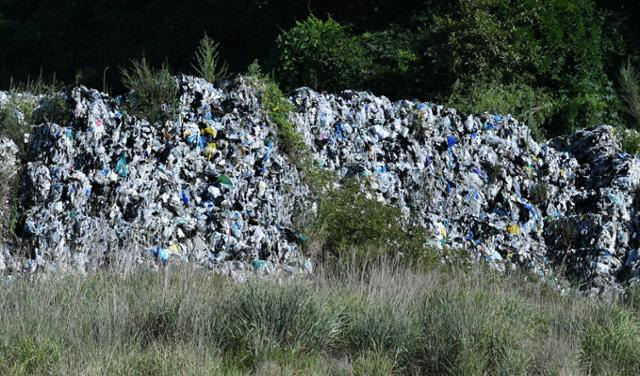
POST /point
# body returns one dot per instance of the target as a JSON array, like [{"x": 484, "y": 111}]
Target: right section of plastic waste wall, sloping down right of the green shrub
[{"x": 483, "y": 184}]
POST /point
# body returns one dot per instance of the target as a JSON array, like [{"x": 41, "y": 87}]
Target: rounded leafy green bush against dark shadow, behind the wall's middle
[{"x": 322, "y": 55}]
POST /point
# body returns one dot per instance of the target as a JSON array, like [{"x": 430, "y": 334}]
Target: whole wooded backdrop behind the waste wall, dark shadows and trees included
[{"x": 555, "y": 64}]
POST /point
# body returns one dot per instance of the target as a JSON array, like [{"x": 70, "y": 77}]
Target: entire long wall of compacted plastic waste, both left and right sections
[{"x": 210, "y": 185}]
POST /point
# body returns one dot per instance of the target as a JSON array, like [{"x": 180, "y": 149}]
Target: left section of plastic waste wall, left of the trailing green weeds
[{"x": 207, "y": 185}]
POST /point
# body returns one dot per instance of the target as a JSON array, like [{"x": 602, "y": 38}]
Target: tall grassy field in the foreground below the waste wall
[{"x": 385, "y": 320}]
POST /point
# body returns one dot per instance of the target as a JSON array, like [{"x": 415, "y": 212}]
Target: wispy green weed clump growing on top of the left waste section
[{"x": 151, "y": 89}]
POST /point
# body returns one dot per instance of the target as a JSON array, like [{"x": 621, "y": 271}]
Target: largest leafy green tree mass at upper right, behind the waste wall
[{"x": 535, "y": 47}]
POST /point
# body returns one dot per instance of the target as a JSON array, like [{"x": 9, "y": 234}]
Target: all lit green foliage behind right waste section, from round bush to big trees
[{"x": 478, "y": 56}]
